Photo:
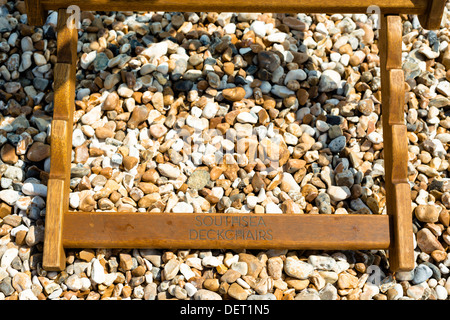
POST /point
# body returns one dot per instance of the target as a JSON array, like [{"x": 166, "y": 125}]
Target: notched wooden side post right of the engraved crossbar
[{"x": 398, "y": 191}]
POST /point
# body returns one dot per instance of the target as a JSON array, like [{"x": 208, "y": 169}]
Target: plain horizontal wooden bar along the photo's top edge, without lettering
[{"x": 313, "y": 6}]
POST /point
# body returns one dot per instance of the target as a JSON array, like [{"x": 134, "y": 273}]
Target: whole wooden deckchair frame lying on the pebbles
[{"x": 66, "y": 229}]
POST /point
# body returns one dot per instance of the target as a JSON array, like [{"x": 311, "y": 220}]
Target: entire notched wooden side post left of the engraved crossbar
[{"x": 61, "y": 144}]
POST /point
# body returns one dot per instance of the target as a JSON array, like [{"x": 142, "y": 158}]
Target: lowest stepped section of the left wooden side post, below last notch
[{"x": 54, "y": 257}]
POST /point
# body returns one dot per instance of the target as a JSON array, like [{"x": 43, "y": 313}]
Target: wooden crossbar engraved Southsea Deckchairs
[{"x": 251, "y": 231}]
